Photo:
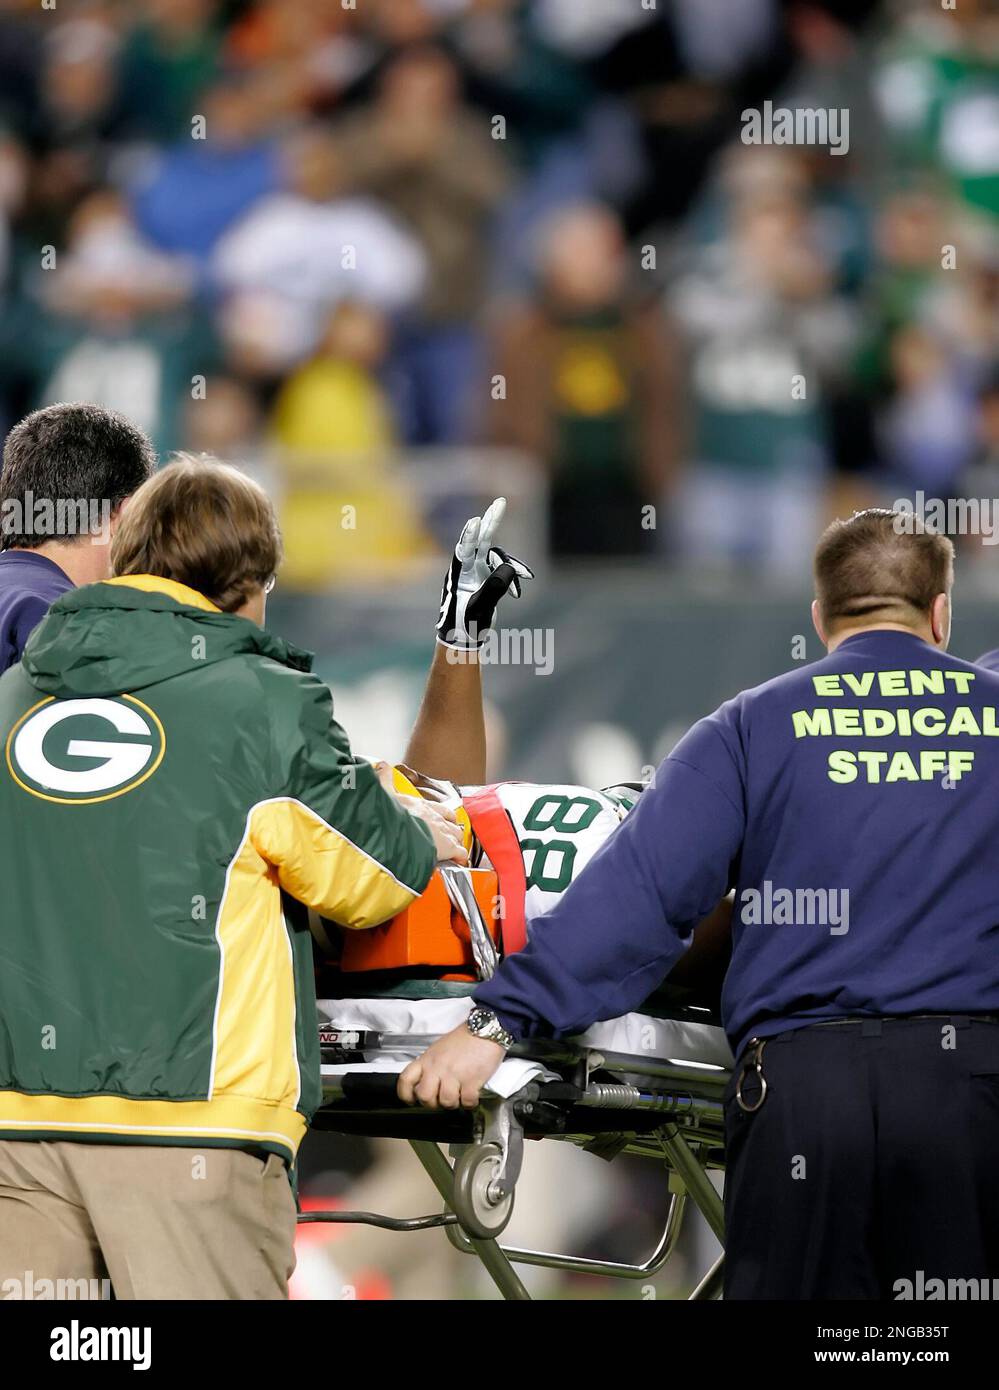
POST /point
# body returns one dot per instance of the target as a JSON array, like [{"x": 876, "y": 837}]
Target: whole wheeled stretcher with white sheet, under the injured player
[{"x": 650, "y": 1084}]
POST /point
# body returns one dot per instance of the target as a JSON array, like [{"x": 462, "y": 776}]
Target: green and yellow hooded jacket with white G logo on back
[{"x": 173, "y": 779}]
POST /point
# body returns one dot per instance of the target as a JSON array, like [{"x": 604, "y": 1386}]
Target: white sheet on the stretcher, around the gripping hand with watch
[{"x": 634, "y": 1033}]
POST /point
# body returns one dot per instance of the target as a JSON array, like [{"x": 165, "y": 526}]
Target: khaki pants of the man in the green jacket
[{"x": 158, "y": 1223}]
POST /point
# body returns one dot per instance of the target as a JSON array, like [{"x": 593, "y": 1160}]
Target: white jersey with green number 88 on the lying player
[{"x": 559, "y": 831}]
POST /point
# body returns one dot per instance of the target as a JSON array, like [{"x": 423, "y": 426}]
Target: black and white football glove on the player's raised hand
[{"x": 479, "y": 578}]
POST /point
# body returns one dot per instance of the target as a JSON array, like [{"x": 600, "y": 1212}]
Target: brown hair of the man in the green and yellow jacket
[{"x": 205, "y": 525}]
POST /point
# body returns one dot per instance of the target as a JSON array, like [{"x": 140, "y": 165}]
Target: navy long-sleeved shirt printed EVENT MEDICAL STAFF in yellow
[{"x": 851, "y": 804}]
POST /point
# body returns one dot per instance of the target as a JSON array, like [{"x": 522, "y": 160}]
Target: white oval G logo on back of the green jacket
[{"x": 83, "y": 751}]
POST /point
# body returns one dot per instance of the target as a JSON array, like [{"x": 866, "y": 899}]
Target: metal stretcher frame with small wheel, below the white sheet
[{"x": 606, "y": 1103}]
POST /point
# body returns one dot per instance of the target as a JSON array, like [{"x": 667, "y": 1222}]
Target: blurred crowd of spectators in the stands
[{"x": 319, "y": 237}]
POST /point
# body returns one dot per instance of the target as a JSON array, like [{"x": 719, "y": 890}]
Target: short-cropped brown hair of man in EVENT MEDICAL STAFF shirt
[{"x": 882, "y": 566}]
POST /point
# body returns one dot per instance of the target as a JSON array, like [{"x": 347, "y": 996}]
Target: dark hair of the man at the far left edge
[{"x": 70, "y": 455}]
